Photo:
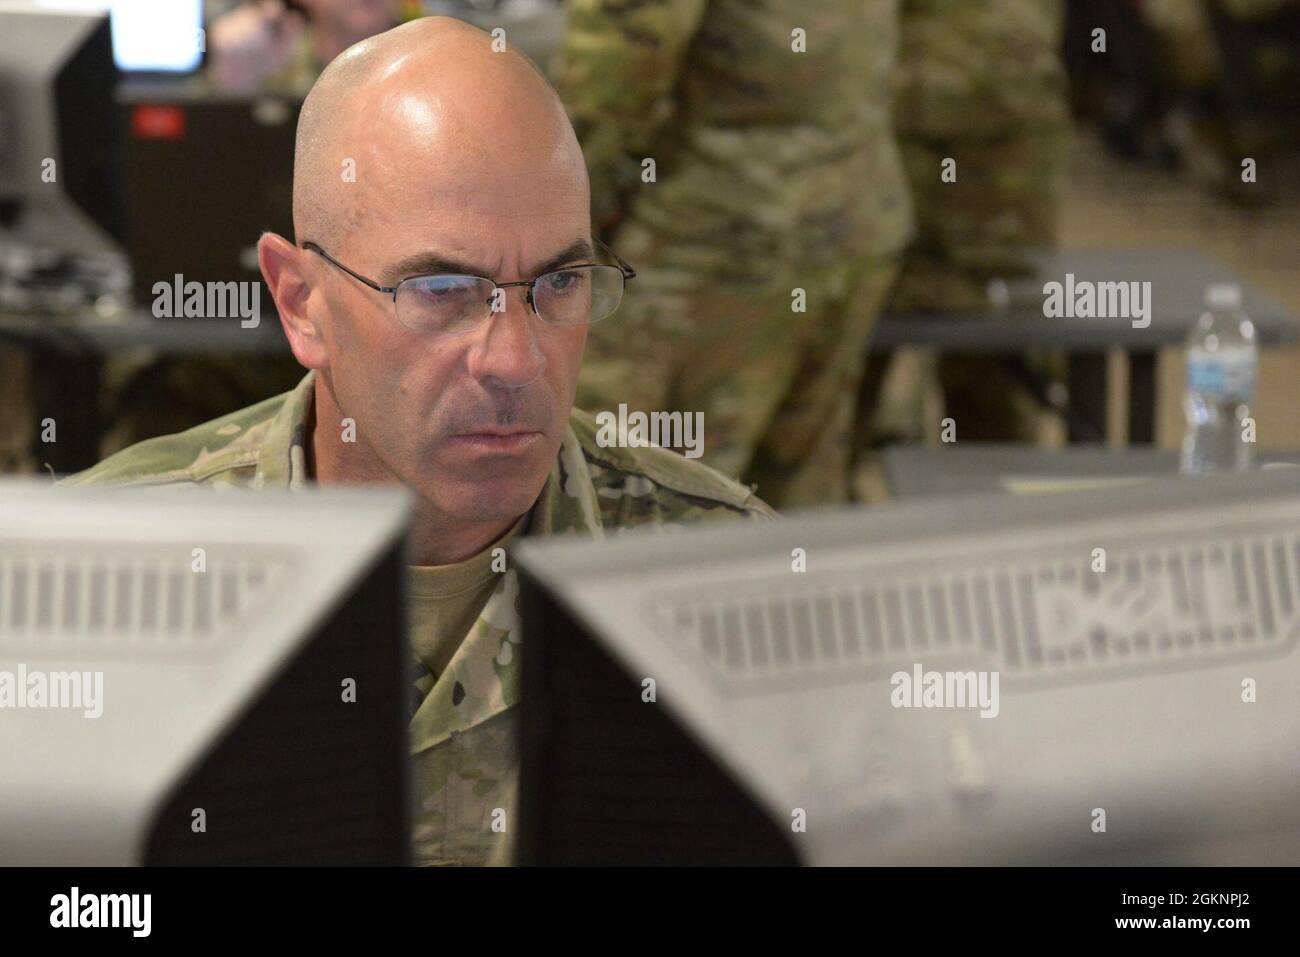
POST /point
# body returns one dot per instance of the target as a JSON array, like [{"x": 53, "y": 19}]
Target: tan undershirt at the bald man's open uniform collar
[{"x": 445, "y": 601}]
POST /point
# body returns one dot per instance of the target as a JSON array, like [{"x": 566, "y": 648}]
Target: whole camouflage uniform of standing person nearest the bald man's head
[{"x": 775, "y": 172}]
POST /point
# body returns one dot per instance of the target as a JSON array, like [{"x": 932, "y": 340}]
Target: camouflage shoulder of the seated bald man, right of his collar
[{"x": 651, "y": 486}]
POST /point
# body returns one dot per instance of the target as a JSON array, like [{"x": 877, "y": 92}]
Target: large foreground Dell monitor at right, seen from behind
[{"x": 764, "y": 692}]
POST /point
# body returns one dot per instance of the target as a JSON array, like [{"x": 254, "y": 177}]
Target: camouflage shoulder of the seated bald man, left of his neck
[{"x": 223, "y": 449}]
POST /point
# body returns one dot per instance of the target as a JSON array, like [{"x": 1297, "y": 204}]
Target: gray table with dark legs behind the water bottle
[{"x": 1178, "y": 280}]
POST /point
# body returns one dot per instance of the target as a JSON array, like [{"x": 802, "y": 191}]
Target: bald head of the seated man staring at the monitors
[{"x": 421, "y": 146}]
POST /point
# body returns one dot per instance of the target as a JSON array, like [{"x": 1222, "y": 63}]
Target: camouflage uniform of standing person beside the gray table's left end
[{"x": 982, "y": 83}]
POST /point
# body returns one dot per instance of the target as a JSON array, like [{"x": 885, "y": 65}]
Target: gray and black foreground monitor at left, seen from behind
[{"x": 194, "y": 678}]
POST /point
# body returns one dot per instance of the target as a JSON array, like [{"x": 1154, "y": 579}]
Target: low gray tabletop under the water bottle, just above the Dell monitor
[{"x": 978, "y": 467}]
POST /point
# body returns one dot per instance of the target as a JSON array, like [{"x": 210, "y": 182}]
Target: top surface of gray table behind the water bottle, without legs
[{"x": 1178, "y": 278}]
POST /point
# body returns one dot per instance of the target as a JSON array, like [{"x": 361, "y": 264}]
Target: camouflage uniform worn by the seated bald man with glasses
[{"x": 463, "y": 734}]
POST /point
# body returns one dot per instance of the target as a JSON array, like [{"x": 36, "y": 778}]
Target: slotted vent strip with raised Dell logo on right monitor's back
[{"x": 1199, "y": 603}]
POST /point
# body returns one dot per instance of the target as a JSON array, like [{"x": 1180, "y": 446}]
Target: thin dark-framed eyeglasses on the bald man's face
[{"x": 445, "y": 305}]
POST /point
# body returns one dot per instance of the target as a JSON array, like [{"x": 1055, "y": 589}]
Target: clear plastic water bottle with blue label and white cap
[{"x": 1221, "y": 370}]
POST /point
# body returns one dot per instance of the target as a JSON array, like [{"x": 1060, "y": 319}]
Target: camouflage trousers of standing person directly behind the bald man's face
[{"x": 777, "y": 384}]
